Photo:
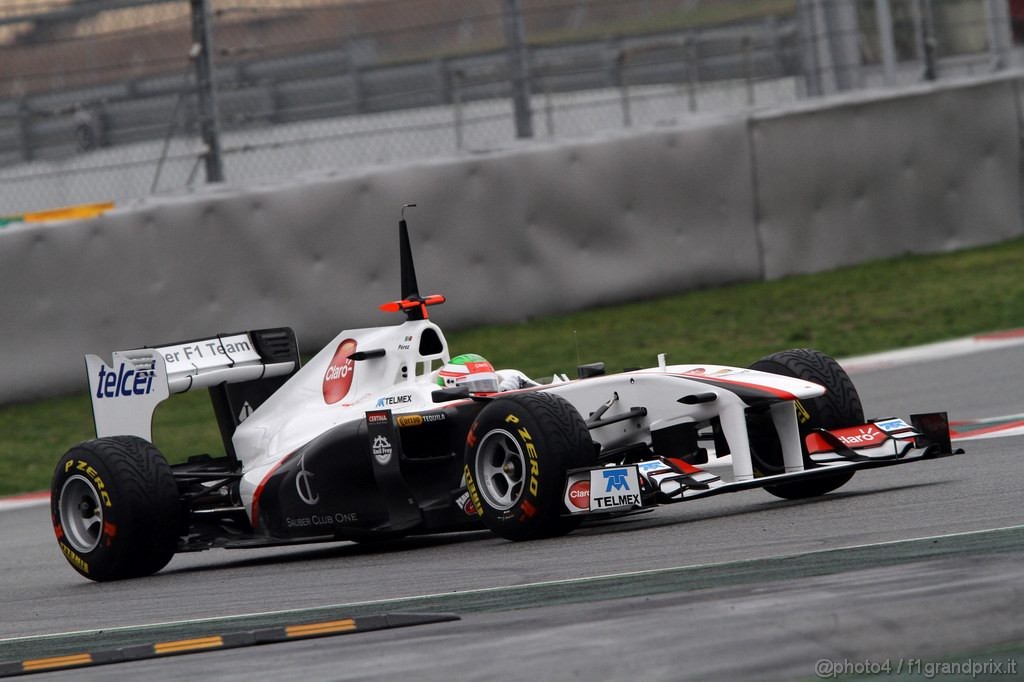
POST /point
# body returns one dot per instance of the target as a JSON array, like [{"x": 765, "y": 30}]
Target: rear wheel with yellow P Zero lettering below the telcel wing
[{"x": 115, "y": 508}]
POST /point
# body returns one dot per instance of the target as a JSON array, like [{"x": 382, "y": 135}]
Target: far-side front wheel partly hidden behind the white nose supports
[{"x": 839, "y": 407}]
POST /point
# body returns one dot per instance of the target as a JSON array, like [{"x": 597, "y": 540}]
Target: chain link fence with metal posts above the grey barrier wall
[{"x": 118, "y": 100}]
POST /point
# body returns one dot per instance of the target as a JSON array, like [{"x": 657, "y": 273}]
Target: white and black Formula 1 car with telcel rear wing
[{"x": 363, "y": 443}]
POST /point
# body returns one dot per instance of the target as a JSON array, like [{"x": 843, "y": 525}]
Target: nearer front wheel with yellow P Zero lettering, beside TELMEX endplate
[{"x": 518, "y": 453}]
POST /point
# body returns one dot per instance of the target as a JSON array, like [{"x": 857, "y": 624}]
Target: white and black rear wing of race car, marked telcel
[{"x": 241, "y": 370}]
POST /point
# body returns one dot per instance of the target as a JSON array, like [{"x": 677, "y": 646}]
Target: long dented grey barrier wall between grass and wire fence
[{"x": 540, "y": 230}]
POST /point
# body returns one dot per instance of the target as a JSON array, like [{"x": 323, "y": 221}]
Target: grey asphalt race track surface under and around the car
[{"x": 911, "y": 566}]
